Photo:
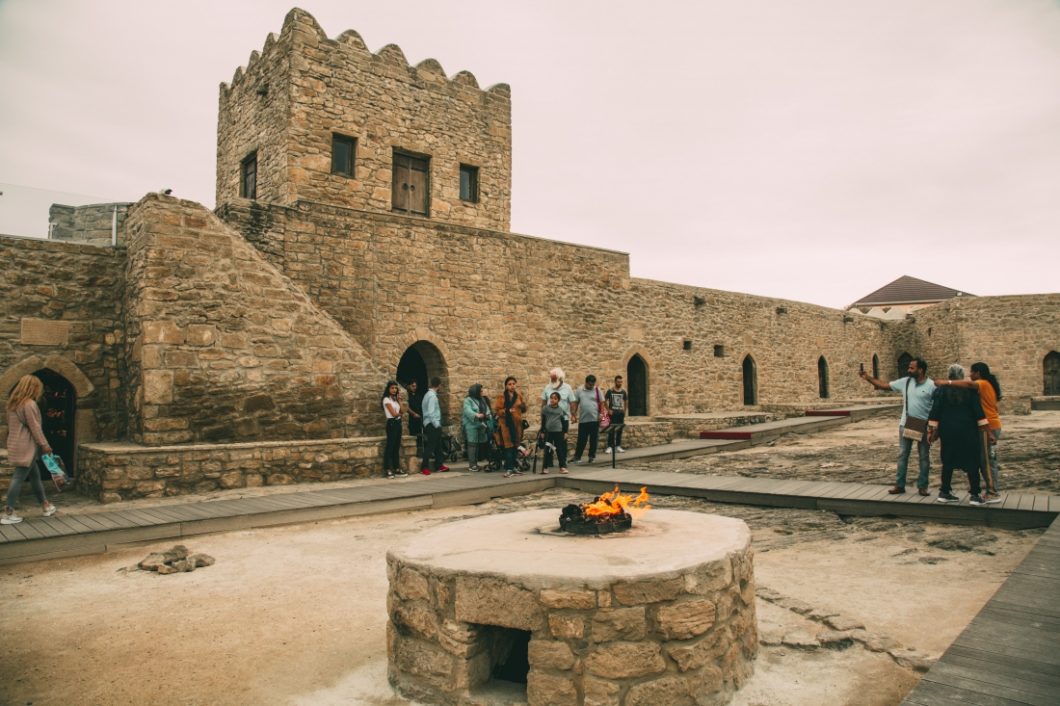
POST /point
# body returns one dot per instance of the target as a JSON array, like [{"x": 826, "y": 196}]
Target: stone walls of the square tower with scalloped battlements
[{"x": 304, "y": 87}]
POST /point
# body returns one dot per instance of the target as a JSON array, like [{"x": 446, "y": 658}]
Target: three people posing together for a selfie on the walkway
[{"x": 963, "y": 416}]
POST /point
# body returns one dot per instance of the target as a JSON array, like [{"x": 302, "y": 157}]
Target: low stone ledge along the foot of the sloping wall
[{"x": 113, "y": 472}]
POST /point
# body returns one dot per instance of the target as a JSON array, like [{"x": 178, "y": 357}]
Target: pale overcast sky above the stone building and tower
[{"x": 812, "y": 151}]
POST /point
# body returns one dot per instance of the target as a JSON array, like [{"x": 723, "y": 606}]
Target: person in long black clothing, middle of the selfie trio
[{"x": 957, "y": 417}]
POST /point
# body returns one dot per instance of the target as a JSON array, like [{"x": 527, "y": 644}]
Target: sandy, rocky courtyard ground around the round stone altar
[{"x": 296, "y": 615}]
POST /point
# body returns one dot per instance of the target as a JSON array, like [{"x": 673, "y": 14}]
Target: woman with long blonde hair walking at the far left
[{"x": 26, "y": 442}]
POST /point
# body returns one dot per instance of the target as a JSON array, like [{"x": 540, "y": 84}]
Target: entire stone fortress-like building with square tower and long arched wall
[{"x": 362, "y": 234}]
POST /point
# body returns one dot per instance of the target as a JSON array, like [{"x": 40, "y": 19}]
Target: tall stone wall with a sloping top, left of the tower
[{"x": 222, "y": 347}]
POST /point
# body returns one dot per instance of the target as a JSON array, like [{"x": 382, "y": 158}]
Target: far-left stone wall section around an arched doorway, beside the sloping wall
[{"x": 62, "y": 311}]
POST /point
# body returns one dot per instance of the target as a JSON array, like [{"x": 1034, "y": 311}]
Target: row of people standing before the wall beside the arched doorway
[{"x": 501, "y": 425}]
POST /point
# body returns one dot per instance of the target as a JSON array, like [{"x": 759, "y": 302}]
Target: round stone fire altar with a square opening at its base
[{"x": 661, "y": 614}]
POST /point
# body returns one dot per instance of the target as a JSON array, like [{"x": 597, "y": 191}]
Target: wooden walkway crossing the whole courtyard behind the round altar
[{"x": 95, "y": 532}]
